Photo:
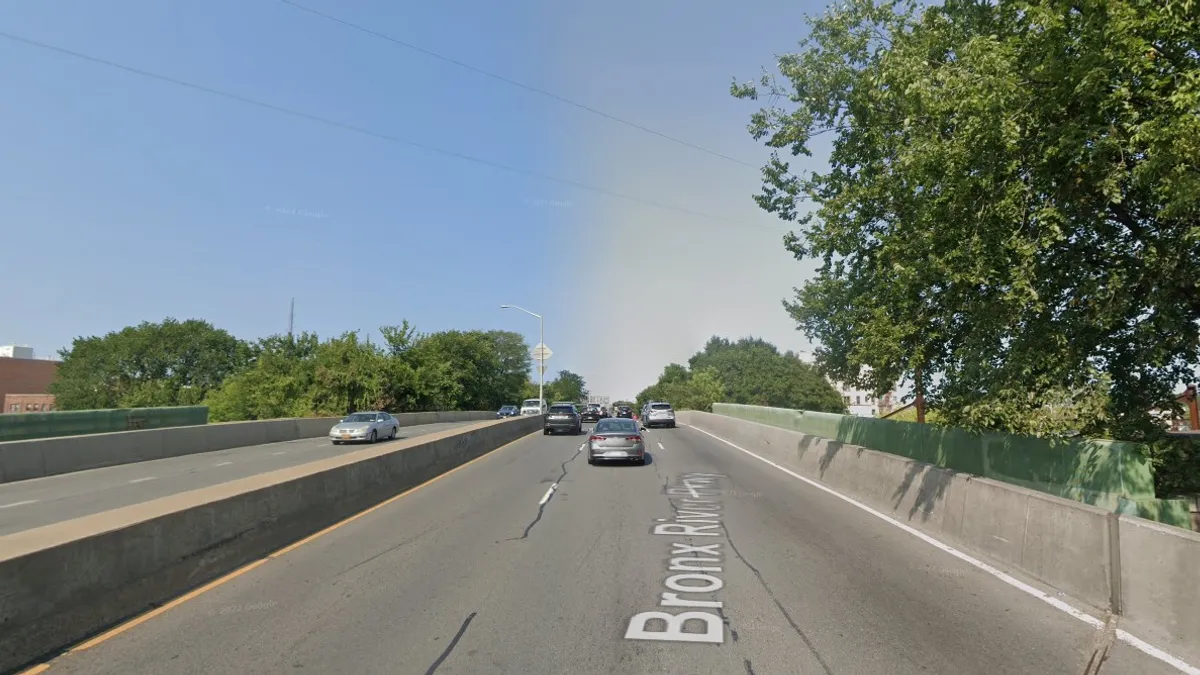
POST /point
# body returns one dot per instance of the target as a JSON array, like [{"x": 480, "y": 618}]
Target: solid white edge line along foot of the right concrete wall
[{"x": 1137, "y": 643}]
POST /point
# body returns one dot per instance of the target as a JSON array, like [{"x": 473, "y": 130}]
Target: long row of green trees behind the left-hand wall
[{"x": 193, "y": 363}]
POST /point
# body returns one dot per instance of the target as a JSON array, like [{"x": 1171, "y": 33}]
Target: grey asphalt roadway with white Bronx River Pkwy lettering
[{"x": 530, "y": 561}]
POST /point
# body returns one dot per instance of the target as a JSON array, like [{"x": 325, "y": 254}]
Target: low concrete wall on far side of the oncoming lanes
[{"x": 22, "y": 461}]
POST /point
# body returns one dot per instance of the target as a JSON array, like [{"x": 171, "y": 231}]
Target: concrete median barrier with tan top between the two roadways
[{"x": 67, "y": 582}]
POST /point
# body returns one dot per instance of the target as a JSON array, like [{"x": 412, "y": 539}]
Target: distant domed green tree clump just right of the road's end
[{"x": 749, "y": 372}]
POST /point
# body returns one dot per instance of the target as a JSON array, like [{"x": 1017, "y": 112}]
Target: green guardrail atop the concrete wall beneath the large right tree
[{"x": 1111, "y": 475}]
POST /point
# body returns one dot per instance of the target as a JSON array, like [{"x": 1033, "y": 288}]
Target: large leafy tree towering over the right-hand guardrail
[{"x": 1012, "y": 205}]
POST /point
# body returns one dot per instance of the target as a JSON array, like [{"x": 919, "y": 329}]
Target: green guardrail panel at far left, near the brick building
[{"x": 23, "y": 427}]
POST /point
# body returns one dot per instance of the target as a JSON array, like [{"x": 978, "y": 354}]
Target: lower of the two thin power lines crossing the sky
[{"x": 368, "y": 132}]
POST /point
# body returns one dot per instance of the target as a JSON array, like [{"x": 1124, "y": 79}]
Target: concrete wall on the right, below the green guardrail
[{"x": 1142, "y": 570}]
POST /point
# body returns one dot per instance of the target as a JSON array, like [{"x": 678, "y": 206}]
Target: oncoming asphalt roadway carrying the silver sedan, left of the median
[{"x": 44, "y": 501}]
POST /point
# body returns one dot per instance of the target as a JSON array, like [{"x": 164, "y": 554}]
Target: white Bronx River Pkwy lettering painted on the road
[{"x": 698, "y": 515}]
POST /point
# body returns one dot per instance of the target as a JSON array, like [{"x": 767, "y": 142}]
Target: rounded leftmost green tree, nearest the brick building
[{"x": 153, "y": 365}]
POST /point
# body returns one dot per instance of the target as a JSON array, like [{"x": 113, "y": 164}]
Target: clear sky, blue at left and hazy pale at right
[{"x": 124, "y": 199}]
